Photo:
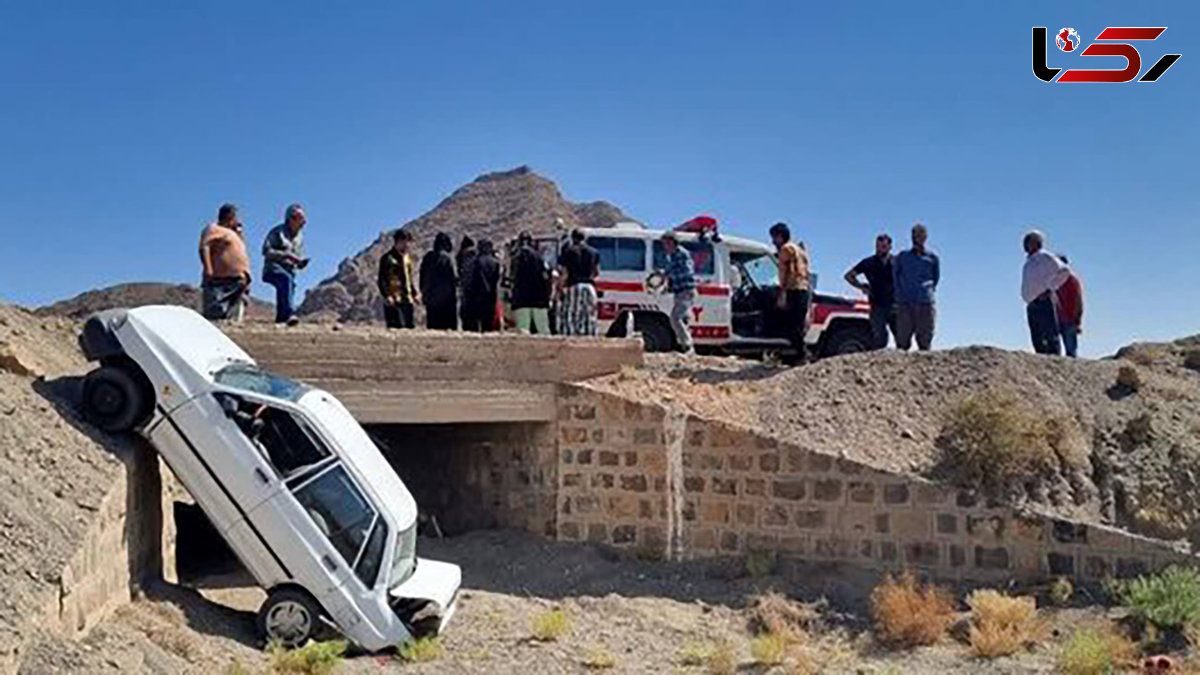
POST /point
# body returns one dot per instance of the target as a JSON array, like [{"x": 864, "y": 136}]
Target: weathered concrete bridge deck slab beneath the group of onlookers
[{"x": 425, "y": 377}]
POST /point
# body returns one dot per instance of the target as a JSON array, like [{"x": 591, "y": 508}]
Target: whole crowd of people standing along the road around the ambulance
[{"x": 463, "y": 289}]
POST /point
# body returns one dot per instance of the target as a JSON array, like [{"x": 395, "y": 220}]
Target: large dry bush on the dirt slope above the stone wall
[{"x": 997, "y": 437}]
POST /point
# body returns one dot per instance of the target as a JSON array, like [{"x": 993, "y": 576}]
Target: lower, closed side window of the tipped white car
[{"x": 339, "y": 510}]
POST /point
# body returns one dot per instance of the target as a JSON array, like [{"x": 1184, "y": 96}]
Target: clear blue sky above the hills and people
[{"x": 124, "y": 126}]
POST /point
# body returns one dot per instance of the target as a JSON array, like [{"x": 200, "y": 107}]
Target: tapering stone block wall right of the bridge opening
[{"x": 733, "y": 492}]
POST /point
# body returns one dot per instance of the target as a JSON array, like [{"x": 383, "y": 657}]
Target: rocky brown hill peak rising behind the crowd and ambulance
[{"x": 496, "y": 206}]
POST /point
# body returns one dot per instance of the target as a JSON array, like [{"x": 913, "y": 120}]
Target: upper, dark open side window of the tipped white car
[{"x": 287, "y": 441}]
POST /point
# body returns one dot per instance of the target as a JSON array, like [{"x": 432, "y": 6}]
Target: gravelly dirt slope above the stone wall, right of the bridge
[{"x": 1142, "y": 446}]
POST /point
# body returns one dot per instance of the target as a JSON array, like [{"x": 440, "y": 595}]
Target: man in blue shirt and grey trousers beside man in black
[{"x": 916, "y": 276}]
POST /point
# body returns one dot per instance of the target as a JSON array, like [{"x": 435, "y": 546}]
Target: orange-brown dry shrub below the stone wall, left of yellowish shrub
[{"x": 910, "y": 614}]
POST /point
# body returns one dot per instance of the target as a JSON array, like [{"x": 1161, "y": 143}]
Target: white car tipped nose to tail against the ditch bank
[{"x": 284, "y": 471}]
